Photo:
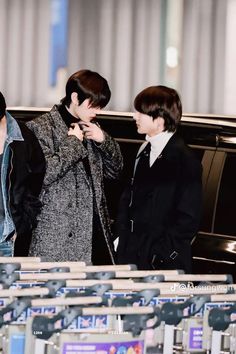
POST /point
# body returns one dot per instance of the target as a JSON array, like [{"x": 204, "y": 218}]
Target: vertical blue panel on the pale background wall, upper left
[{"x": 58, "y": 38}]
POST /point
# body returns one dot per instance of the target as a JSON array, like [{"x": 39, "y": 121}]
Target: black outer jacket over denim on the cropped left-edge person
[{"x": 24, "y": 181}]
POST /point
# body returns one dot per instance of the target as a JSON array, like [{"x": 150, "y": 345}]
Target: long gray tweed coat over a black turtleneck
[{"x": 64, "y": 229}]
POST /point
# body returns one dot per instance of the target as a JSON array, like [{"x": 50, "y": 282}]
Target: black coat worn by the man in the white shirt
[{"x": 155, "y": 232}]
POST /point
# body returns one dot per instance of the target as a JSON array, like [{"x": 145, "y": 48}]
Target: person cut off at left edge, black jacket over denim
[{"x": 22, "y": 168}]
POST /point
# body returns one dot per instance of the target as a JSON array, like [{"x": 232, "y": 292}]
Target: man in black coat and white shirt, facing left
[{"x": 160, "y": 210}]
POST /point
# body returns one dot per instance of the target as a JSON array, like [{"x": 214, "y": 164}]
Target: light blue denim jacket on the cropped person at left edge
[{"x": 13, "y": 133}]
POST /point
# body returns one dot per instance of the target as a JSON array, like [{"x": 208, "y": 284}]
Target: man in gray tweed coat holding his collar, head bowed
[{"x": 74, "y": 222}]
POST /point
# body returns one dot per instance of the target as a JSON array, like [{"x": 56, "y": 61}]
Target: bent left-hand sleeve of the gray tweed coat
[{"x": 58, "y": 162}]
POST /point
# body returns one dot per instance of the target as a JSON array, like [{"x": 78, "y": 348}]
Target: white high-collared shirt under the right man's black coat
[{"x": 158, "y": 142}]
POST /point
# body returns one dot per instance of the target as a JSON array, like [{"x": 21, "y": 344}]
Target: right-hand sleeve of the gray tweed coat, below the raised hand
[{"x": 111, "y": 157}]
